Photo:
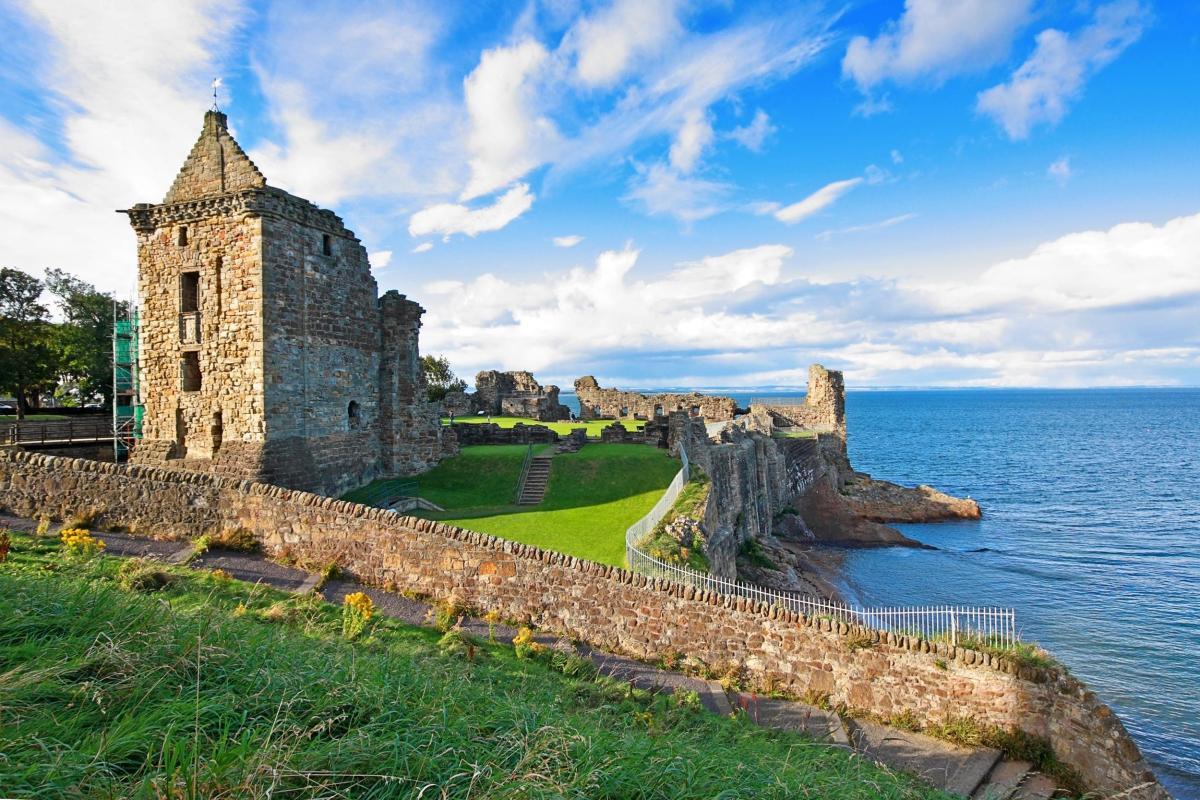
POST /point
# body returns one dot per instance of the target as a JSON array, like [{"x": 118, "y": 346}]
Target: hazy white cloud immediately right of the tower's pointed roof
[{"x": 353, "y": 95}]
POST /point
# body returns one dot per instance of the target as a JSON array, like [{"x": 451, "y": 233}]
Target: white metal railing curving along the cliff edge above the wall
[{"x": 953, "y": 624}]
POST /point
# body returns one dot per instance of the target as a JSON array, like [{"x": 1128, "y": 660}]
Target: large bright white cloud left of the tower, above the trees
[{"x": 130, "y": 86}]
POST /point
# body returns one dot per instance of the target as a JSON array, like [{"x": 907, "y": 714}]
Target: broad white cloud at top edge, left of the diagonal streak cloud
[{"x": 937, "y": 40}]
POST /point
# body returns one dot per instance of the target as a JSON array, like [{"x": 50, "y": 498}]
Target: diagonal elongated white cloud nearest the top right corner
[{"x": 1041, "y": 89}]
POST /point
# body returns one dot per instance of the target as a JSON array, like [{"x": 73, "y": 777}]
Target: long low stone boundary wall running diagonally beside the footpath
[{"x": 610, "y": 607}]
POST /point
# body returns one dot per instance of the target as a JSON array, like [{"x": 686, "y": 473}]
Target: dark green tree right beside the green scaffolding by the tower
[{"x": 86, "y": 339}]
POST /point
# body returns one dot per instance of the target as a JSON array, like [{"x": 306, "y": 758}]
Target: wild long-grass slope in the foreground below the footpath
[{"x": 107, "y": 694}]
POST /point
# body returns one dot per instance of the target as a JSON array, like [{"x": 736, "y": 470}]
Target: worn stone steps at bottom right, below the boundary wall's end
[{"x": 975, "y": 773}]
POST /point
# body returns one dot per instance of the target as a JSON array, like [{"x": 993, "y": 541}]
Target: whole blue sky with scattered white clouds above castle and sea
[{"x": 921, "y": 193}]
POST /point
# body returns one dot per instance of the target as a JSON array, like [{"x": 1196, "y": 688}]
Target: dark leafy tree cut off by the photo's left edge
[{"x": 28, "y": 357}]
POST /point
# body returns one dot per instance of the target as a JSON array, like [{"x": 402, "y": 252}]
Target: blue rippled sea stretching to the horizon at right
[{"x": 1091, "y": 531}]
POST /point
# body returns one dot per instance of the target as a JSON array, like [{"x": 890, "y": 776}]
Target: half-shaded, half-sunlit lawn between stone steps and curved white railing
[{"x": 595, "y": 496}]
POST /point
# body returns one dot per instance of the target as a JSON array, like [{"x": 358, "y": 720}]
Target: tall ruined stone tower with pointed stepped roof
[{"x": 267, "y": 353}]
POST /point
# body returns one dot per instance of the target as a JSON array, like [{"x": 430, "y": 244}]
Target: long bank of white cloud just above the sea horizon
[{"x": 1065, "y": 315}]
